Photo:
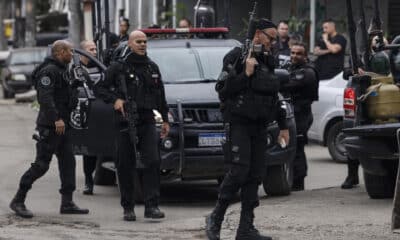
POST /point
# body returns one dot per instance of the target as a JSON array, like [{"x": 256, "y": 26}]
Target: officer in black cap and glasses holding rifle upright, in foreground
[{"x": 250, "y": 98}]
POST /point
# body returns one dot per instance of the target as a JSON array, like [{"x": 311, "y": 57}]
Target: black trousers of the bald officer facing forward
[{"x": 149, "y": 175}]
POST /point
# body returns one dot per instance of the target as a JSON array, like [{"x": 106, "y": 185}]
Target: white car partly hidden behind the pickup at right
[{"x": 328, "y": 116}]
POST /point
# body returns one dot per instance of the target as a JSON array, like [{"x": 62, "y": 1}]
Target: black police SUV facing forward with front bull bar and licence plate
[{"x": 192, "y": 151}]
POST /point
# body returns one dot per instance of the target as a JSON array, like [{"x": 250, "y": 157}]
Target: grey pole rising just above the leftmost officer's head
[{"x": 75, "y": 22}]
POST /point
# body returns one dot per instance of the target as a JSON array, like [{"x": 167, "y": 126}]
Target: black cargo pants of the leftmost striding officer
[{"x": 50, "y": 143}]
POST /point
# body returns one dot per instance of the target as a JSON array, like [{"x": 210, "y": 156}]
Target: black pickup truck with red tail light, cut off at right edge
[{"x": 373, "y": 144}]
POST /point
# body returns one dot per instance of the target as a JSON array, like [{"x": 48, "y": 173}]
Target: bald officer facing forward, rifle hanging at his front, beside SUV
[{"x": 144, "y": 86}]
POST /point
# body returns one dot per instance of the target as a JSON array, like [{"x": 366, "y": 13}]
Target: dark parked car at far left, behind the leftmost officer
[{"x": 16, "y": 74}]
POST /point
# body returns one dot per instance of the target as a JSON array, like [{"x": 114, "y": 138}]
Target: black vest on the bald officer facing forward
[{"x": 144, "y": 85}]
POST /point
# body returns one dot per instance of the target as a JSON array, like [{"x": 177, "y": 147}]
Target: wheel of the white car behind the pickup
[{"x": 335, "y": 144}]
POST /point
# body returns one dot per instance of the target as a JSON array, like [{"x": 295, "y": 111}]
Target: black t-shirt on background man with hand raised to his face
[{"x": 330, "y": 65}]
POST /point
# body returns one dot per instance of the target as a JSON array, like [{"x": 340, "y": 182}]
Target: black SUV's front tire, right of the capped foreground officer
[{"x": 278, "y": 180}]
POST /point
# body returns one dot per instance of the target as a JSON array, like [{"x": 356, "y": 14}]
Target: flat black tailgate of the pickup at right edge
[{"x": 375, "y": 130}]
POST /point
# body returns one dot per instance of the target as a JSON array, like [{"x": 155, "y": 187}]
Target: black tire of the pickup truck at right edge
[{"x": 379, "y": 187}]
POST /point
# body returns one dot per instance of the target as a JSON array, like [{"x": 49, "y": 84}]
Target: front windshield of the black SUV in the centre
[{"x": 186, "y": 65}]
